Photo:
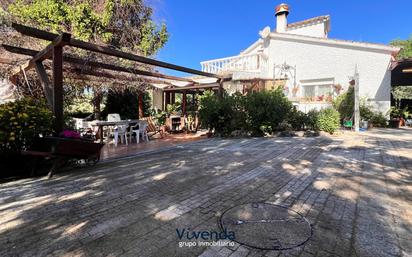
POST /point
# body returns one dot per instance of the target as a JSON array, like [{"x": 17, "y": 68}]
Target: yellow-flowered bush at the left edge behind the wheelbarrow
[{"x": 21, "y": 122}]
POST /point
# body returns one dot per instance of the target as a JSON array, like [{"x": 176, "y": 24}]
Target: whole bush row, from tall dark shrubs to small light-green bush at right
[{"x": 261, "y": 113}]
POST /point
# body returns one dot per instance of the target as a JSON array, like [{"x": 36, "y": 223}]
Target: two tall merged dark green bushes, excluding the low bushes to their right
[{"x": 259, "y": 113}]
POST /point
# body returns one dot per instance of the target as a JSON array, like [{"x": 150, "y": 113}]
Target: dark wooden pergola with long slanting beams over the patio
[{"x": 54, "y": 51}]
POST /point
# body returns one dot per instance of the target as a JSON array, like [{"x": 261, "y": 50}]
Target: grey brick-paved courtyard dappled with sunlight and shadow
[{"x": 355, "y": 190}]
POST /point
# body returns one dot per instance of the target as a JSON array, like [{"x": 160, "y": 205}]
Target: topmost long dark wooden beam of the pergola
[{"x": 108, "y": 51}]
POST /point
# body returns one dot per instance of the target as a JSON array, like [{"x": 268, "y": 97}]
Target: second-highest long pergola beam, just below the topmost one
[{"x": 69, "y": 59}]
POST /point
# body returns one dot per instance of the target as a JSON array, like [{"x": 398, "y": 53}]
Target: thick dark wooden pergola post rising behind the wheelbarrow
[{"x": 58, "y": 88}]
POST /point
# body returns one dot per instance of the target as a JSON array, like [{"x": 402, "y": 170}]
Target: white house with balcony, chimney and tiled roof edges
[{"x": 310, "y": 66}]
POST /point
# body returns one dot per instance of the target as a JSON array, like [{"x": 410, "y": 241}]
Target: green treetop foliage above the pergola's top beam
[{"x": 125, "y": 24}]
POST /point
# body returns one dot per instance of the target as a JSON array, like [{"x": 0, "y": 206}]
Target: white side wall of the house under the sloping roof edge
[{"x": 318, "y": 60}]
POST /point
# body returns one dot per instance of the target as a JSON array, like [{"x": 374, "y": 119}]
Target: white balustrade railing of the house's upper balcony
[{"x": 247, "y": 63}]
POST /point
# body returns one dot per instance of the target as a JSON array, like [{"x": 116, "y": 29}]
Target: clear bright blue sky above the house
[{"x": 208, "y": 29}]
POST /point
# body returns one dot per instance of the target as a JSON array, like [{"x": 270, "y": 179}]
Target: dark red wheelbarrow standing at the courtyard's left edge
[{"x": 61, "y": 150}]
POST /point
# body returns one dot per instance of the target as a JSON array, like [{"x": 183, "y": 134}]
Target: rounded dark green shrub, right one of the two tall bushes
[{"x": 266, "y": 110}]
